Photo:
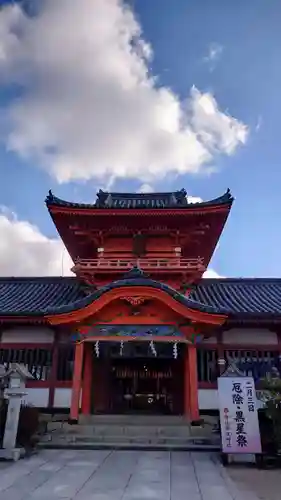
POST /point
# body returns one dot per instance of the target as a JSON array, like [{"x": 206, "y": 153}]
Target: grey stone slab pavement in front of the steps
[{"x": 117, "y": 475}]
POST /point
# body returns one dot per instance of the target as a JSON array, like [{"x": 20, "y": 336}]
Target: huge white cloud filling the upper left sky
[{"x": 89, "y": 106}]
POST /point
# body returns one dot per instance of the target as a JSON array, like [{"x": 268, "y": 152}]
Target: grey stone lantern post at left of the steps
[{"x": 16, "y": 376}]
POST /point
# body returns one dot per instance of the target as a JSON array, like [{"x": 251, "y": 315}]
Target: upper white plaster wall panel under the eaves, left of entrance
[{"x": 29, "y": 335}]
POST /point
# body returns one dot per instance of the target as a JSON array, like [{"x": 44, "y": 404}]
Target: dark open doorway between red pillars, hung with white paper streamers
[{"x": 137, "y": 377}]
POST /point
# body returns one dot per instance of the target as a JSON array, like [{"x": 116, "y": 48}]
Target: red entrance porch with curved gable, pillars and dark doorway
[{"x": 136, "y": 349}]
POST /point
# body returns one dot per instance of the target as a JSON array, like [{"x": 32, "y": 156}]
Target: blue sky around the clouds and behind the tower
[{"x": 244, "y": 76}]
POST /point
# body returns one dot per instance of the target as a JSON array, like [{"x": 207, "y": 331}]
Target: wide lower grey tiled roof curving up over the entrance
[{"x": 239, "y": 297}]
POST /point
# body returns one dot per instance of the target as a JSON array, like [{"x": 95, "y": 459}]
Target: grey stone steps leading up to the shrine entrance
[{"x": 129, "y": 432}]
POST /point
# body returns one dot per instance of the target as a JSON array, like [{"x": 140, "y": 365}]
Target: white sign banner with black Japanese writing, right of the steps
[{"x": 238, "y": 415}]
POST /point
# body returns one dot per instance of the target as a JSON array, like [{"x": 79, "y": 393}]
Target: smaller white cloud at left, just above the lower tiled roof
[{"x": 25, "y": 251}]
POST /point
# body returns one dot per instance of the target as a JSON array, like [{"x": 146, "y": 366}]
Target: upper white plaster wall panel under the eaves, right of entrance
[{"x": 250, "y": 336}]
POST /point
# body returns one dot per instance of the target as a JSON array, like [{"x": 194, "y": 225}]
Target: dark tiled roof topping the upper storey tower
[{"x": 176, "y": 199}]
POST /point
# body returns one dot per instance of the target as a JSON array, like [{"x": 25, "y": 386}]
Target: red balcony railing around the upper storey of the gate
[{"x": 145, "y": 264}]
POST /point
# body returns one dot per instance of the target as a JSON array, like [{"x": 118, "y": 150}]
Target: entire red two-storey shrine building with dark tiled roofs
[{"x": 137, "y": 329}]
